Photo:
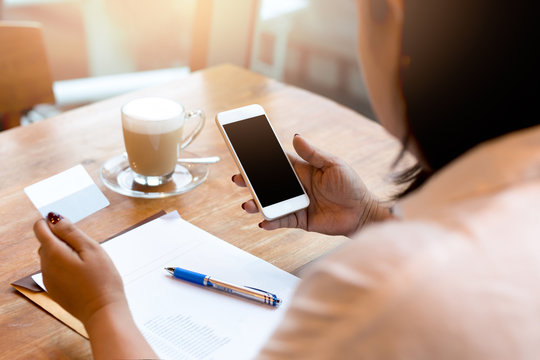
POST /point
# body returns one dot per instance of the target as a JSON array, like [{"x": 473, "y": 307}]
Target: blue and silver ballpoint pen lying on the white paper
[{"x": 245, "y": 291}]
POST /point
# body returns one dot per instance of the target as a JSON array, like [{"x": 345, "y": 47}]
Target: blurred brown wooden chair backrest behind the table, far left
[{"x": 25, "y": 77}]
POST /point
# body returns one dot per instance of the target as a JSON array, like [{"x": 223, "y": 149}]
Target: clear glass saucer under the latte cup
[{"x": 117, "y": 176}]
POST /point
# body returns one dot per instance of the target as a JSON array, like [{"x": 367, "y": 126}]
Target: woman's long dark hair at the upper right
[{"x": 472, "y": 76}]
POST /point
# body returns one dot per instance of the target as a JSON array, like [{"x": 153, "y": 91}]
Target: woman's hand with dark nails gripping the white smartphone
[{"x": 340, "y": 203}]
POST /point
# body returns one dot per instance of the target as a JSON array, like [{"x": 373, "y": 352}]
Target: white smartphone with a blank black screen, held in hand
[{"x": 262, "y": 161}]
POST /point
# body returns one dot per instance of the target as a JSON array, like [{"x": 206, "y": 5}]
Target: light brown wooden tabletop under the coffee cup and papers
[{"x": 92, "y": 134}]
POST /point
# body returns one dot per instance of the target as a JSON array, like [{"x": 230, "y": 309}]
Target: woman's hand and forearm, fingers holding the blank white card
[{"x": 80, "y": 276}]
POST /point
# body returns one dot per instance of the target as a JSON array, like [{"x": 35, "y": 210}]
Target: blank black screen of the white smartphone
[{"x": 264, "y": 161}]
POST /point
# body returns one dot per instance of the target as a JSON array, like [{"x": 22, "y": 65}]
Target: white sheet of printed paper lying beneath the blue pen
[{"x": 181, "y": 320}]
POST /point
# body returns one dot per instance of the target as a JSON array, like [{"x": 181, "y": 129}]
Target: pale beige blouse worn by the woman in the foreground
[{"x": 457, "y": 278}]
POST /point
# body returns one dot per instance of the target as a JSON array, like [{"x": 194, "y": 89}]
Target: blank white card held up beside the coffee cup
[{"x": 71, "y": 193}]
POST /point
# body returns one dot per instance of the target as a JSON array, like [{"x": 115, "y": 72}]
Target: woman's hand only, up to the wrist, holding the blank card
[{"x": 77, "y": 272}]
